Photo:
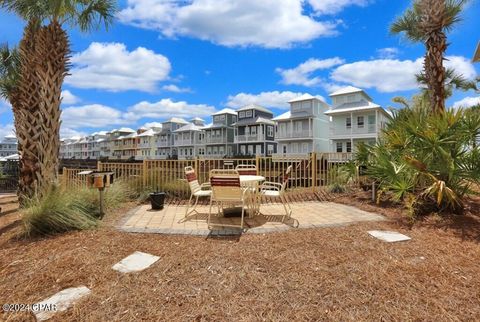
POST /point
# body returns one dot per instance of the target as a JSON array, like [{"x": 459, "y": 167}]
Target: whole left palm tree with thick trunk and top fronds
[{"x": 44, "y": 62}]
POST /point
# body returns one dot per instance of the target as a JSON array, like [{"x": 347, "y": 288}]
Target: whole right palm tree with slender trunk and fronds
[{"x": 428, "y": 21}]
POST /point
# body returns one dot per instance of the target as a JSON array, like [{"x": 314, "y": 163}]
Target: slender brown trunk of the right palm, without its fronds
[{"x": 436, "y": 45}]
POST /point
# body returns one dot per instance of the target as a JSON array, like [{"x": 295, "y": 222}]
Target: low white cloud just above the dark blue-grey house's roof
[{"x": 268, "y": 99}]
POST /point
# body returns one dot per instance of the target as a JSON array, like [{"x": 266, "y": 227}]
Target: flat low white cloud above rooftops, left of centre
[{"x": 167, "y": 108}]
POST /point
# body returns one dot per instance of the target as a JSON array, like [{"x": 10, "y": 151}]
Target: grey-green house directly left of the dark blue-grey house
[{"x": 219, "y": 135}]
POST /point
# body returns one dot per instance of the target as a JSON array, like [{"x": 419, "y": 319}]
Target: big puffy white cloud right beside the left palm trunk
[{"x": 111, "y": 67}]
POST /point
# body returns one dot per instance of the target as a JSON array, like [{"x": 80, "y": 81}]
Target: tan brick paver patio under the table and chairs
[{"x": 171, "y": 219}]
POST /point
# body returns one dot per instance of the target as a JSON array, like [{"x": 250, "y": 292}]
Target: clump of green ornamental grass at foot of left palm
[{"x": 59, "y": 211}]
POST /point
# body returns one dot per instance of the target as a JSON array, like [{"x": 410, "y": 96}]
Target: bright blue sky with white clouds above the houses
[{"x": 165, "y": 58}]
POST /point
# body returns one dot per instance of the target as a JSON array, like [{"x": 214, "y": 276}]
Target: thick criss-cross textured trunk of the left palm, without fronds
[{"x": 44, "y": 54}]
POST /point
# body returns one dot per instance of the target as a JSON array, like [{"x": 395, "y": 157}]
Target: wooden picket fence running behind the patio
[{"x": 308, "y": 171}]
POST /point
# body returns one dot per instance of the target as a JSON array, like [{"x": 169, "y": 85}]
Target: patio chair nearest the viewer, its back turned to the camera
[{"x": 226, "y": 189}]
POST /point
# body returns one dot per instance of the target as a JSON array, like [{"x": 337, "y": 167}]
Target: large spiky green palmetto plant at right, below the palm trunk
[{"x": 425, "y": 157}]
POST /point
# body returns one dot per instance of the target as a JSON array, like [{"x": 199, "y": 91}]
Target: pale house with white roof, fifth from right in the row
[{"x": 189, "y": 139}]
